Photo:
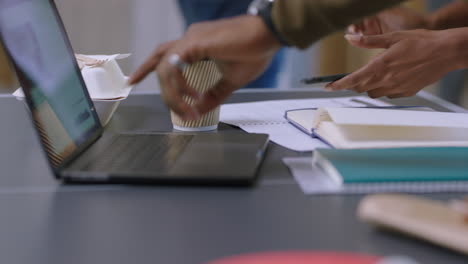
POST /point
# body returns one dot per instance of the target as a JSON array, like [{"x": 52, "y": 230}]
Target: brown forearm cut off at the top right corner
[{"x": 454, "y": 15}]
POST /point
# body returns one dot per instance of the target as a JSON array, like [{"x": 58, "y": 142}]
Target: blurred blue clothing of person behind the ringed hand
[{"x": 203, "y": 10}]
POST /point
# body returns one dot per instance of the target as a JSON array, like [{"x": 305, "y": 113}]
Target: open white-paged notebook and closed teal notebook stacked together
[{"x": 387, "y": 149}]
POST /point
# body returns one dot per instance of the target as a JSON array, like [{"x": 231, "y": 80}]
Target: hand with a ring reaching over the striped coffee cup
[{"x": 242, "y": 47}]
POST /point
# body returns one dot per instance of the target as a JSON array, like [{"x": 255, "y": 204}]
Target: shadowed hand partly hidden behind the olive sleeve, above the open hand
[{"x": 395, "y": 19}]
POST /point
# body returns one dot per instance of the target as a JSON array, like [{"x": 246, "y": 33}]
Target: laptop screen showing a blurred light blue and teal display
[{"x": 62, "y": 111}]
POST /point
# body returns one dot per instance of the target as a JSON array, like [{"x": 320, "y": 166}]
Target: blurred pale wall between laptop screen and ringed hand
[{"x": 121, "y": 26}]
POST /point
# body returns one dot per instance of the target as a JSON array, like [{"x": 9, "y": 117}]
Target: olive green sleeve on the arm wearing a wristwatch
[{"x": 302, "y": 22}]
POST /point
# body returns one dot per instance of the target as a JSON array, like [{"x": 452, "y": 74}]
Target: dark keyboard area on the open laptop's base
[{"x": 141, "y": 152}]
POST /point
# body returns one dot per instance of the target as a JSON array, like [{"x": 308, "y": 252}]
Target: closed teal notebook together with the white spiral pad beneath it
[{"x": 411, "y": 170}]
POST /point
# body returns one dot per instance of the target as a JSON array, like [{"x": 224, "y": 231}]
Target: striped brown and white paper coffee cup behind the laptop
[{"x": 202, "y": 76}]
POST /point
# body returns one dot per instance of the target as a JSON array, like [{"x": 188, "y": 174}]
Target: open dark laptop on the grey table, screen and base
[{"x": 77, "y": 147}]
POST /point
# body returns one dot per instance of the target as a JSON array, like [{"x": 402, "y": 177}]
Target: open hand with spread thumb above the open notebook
[{"x": 412, "y": 60}]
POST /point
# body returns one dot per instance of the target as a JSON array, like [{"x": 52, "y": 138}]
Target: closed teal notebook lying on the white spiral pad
[{"x": 396, "y": 164}]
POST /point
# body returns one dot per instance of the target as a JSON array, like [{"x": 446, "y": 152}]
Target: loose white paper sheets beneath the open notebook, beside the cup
[{"x": 268, "y": 117}]
